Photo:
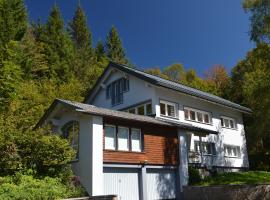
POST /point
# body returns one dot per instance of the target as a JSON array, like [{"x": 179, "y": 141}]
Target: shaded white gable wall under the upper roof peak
[{"x": 139, "y": 91}]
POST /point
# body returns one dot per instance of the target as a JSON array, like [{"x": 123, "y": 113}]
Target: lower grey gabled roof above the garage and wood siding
[{"x": 103, "y": 112}]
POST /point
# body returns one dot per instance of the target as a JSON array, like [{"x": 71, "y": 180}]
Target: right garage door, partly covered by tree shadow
[{"x": 161, "y": 184}]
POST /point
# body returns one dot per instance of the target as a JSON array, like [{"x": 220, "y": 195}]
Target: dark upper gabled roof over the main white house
[{"x": 158, "y": 81}]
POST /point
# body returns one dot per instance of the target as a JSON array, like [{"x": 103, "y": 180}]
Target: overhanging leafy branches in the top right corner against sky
[{"x": 260, "y": 19}]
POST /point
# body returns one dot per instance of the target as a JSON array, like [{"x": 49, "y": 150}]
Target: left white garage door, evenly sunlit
[{"x": 122, "y": 182}]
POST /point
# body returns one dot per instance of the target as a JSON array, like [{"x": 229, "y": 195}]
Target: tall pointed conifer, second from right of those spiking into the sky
[{"x": 79, "y": 30}]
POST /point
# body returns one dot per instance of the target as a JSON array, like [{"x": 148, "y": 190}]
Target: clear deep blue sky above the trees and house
[{"x": 196, "y": 33}]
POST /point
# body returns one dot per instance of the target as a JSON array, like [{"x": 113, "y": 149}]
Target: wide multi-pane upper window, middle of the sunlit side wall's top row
[{"x": 197, "y": 115}]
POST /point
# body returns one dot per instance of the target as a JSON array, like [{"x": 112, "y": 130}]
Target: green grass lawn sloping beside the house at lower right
[{"x": 251, "y": 177}]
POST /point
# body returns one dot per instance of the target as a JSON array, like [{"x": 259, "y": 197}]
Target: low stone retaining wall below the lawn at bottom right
[{"x": 227, "y": 192}]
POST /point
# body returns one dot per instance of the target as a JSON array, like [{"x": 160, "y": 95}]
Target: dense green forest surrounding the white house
[{"x": 56, "y": 59}]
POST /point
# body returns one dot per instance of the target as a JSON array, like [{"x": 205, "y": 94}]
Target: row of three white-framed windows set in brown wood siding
[{"x": 120, "y": 138}]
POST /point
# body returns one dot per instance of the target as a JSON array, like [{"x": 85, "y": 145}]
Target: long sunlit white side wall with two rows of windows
[{"x": 225, "y": 136}]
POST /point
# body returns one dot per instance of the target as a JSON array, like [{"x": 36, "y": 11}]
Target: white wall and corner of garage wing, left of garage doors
[{"x": 89, "y": 166}]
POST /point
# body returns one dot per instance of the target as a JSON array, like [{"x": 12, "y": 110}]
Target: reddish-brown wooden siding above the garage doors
[{"x": 160, "y": 146}]
